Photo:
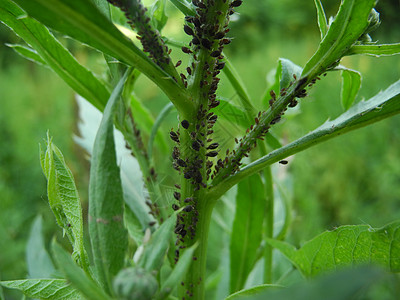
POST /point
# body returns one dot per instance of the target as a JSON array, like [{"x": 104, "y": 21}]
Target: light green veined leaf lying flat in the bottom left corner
[{"x": 49, "y": 289}]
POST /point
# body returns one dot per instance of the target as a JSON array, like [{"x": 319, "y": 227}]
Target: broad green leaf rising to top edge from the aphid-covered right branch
[{"x": 349, "y": 24}]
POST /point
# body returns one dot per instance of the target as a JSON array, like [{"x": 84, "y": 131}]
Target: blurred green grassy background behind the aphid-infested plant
[{"x": 354, "y": 179}]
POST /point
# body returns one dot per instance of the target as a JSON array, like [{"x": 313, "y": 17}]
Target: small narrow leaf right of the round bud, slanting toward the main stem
[{"x": 178, "y": 273}]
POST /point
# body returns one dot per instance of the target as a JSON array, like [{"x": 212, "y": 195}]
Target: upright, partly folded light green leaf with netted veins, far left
[{"x": 64, "y": 199}]
